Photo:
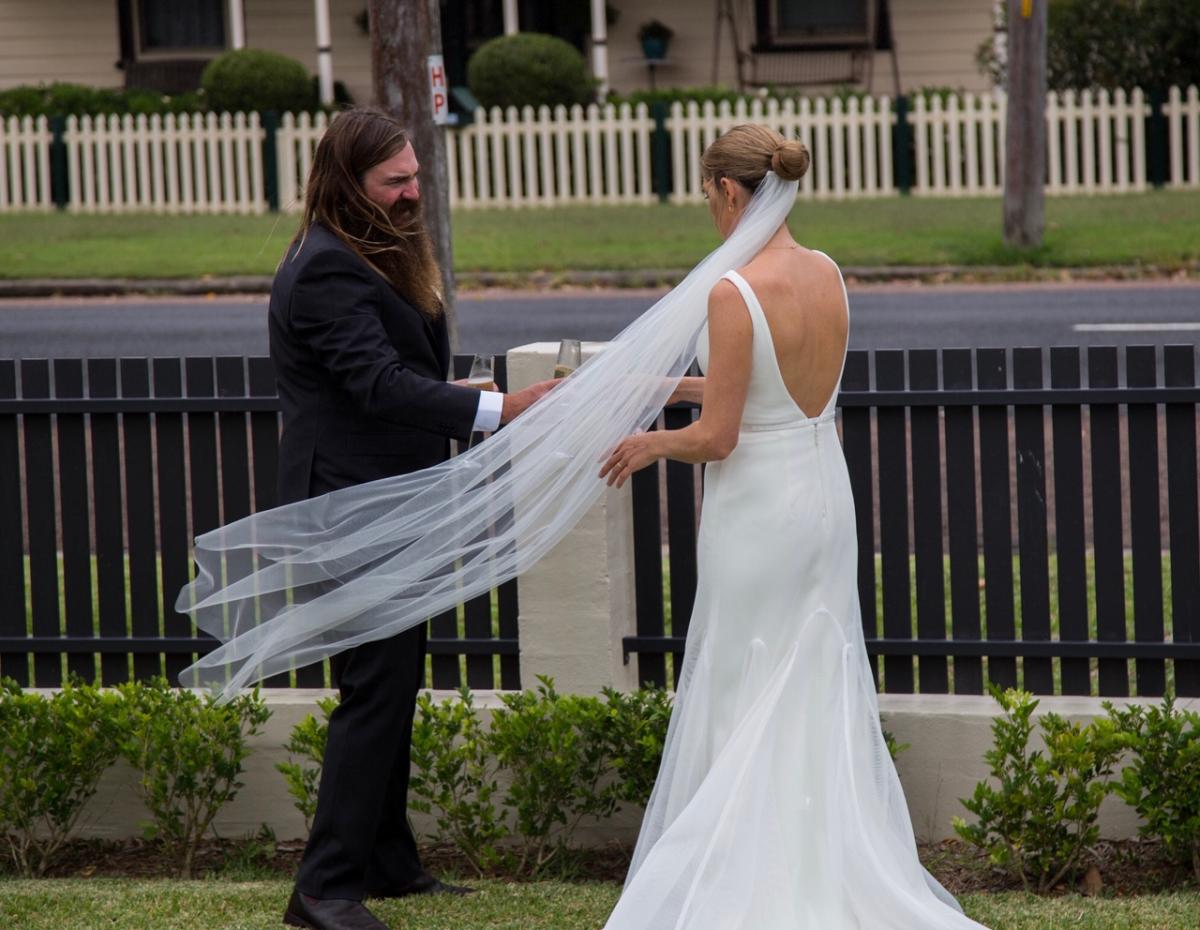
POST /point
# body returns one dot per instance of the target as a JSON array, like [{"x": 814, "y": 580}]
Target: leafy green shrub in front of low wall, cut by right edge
[{"x": 1162, "y": 782}]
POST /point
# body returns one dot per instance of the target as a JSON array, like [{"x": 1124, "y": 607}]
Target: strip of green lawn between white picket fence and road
[{"x": 1160, "y": 229}]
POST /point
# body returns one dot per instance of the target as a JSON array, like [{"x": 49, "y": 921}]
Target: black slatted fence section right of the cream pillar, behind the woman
[{"x": 1010, "y": 530}]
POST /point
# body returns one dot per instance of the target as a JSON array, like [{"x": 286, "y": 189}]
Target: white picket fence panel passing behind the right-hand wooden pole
[{"x": 1096, "y": 143}]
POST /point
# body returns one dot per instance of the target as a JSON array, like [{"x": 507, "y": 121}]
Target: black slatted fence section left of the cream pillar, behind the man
[{"x": 109, "y": 469}]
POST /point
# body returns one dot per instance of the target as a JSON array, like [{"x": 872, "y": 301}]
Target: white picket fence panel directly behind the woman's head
[{"x": 850, "y": 143}]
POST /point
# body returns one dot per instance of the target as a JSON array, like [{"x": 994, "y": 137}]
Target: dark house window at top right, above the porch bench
[{"x": 799, "y": 25}]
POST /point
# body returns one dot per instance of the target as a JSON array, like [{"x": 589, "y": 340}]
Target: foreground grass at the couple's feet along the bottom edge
[{"x": 257, "y": 905}]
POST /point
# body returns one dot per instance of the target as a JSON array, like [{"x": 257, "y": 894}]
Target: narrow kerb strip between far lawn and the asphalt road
[{"x": 640, "y": 279}]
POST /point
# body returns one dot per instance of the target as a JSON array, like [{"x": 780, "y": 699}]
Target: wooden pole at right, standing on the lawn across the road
[{"x": 1025, "y": 160}]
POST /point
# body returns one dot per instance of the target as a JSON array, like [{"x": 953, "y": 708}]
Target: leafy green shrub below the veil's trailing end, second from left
[{"x": 189, "y": 752}]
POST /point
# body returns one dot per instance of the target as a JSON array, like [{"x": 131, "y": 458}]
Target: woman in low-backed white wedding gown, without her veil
[{"x": 777, "y": 805}]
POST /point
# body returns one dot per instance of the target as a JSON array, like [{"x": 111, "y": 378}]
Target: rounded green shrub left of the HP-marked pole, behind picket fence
[{"x": 254, "y": 80}]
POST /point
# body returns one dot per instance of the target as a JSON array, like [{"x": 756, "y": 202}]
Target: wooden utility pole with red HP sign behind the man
[{"x": 404, "y": 35}]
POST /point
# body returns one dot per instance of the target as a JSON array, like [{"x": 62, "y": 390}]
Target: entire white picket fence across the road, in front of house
[{"x": 199, "y": 164}]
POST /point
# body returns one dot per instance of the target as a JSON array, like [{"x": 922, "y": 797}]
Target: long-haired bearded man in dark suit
[{"x": 359, "y": 345}]
